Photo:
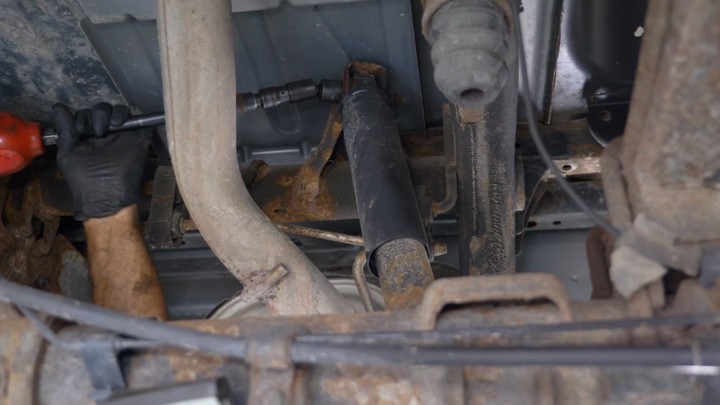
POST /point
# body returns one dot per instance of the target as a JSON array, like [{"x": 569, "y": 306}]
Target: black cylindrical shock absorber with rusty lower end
[{"x": 390, "y": 218}]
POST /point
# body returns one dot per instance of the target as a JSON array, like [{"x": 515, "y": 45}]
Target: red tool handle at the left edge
[{"x": 20, "y": 143}]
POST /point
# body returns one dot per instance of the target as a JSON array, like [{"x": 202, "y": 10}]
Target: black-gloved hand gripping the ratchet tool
[{"x": 102, "y": 170}]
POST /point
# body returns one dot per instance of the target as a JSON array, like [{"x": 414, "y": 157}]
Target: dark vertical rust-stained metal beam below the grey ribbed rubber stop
[{"x": 486, "y": 180}]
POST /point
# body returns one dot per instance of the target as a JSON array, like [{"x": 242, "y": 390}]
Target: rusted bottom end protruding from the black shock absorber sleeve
[{"x": 404, "y": 272}]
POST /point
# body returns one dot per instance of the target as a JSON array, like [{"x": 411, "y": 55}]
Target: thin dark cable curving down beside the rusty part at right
[{"x": 537, "y": 139}]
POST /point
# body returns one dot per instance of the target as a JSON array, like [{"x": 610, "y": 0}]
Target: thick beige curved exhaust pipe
[{"x": 198, "y": 66}]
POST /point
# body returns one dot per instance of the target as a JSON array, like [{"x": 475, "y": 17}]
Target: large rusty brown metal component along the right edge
[{"x": 661, "y": 179}]
